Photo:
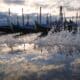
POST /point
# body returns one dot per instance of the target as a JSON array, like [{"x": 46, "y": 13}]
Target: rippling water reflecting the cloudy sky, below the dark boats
[{"x": 54, "y": 57}]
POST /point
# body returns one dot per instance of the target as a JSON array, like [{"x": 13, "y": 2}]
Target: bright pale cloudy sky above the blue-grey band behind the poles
[{"x": 48, "y": 6}]
